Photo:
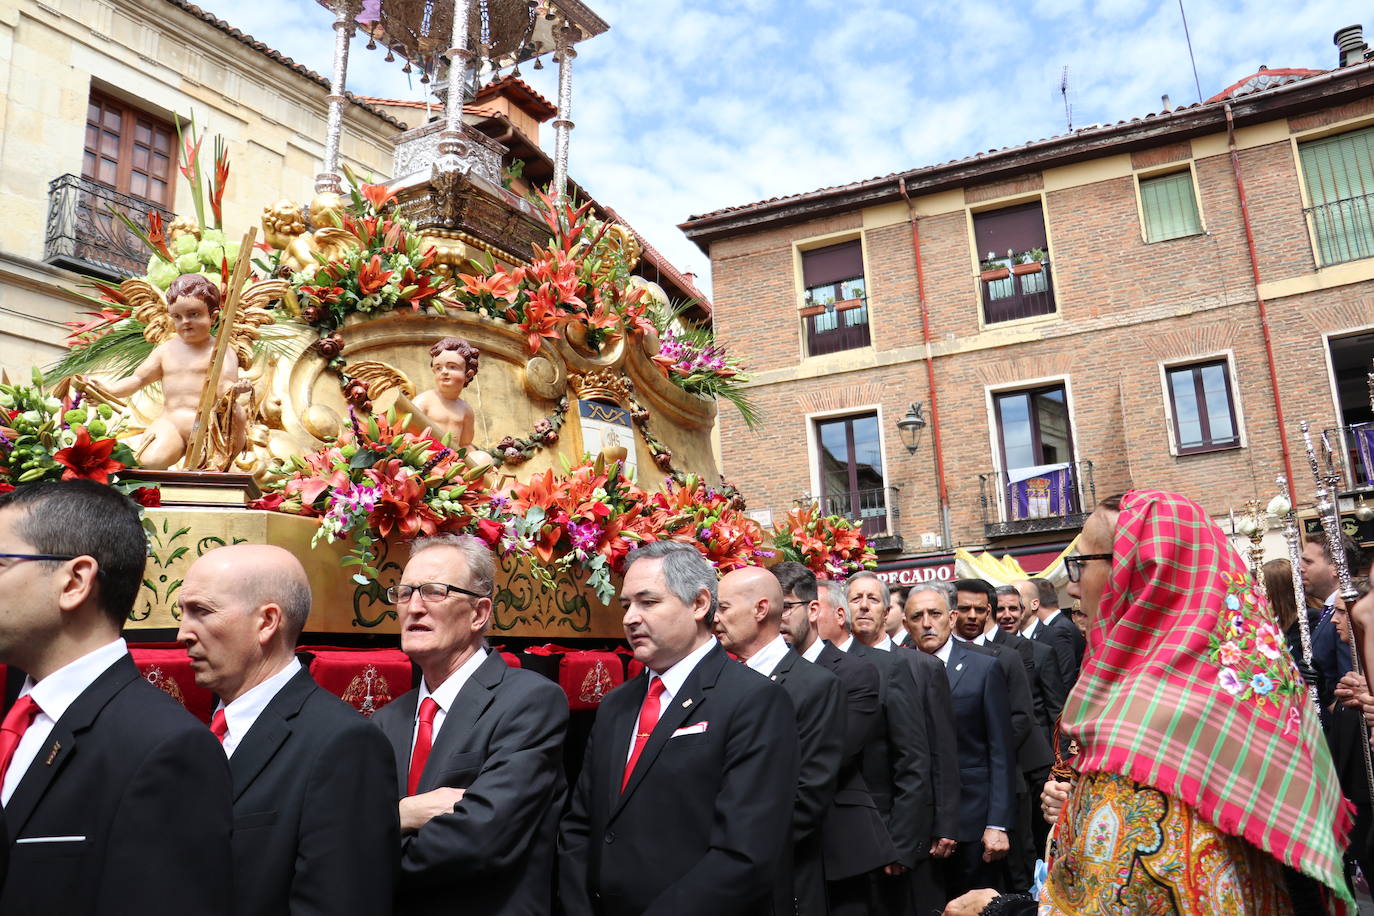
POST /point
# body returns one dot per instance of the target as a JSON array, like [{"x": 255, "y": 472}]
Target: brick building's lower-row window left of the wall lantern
[{"x": 851, "y": 472}]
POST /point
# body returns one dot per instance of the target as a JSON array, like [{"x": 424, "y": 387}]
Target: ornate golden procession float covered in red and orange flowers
[{"x": 435, "y": 354}]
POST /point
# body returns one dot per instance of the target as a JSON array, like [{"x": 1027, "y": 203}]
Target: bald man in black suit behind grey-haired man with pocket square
[{"x": 748, "y": 623}]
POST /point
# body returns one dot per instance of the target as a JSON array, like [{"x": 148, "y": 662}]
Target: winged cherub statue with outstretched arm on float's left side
[{"x": 181, "y": 328}]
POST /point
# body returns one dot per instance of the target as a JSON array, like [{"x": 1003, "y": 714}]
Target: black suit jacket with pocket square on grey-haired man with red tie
[{"x": 707, "y": 815}]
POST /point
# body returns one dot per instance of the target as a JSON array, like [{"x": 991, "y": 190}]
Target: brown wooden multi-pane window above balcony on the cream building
[{"x": 128, "y": 150}]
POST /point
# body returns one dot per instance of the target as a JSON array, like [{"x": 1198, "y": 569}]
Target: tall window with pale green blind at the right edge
[{"x": 1340, "y": 182}]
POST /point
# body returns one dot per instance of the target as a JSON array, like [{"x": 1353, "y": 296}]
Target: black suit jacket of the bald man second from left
[{"x": 315, "y": 819}]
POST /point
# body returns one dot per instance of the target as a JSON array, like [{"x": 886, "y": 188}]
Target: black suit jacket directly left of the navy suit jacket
[{"x": 899, "y": 763}]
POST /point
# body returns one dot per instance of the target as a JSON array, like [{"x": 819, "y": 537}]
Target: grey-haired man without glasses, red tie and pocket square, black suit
[{"x": 686, "y": 797}]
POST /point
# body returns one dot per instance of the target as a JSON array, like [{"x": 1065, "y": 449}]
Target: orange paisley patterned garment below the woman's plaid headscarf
[{"x": 1125, "y": 849}]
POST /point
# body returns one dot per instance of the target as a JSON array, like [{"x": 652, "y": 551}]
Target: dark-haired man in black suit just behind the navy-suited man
[{"x": 975, "y": 627}]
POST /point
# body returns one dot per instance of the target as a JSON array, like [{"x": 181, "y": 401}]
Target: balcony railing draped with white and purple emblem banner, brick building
[{"x": 1052, "y": 498}]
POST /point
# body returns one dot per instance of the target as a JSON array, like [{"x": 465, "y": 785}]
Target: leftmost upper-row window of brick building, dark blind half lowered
[{"x": 836, "y": 306}]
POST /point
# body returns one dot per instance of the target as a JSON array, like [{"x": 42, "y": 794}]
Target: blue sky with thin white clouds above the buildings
[{"x": 689, "y": 106}]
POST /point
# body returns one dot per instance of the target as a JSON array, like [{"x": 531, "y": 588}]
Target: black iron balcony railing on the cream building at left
[{"x": 83, "y": 234}]
